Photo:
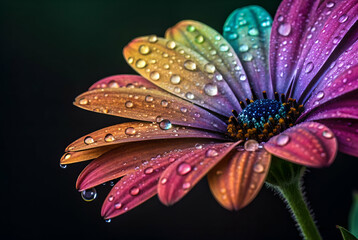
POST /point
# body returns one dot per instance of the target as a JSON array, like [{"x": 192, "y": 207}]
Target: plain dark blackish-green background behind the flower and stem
[{"x": 51, "y": 51}]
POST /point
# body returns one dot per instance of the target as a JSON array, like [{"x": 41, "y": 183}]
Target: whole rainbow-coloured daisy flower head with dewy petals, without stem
[{"x": 222, "y": 106}]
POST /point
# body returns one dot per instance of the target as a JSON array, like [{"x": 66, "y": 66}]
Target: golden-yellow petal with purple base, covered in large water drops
[{"x": 182, "y": 72}]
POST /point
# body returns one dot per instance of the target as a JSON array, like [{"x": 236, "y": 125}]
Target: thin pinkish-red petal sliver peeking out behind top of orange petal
[{"x": 123, "y": 80}]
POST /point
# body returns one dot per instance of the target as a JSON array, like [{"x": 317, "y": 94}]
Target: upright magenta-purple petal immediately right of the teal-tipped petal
[{"x": 288, "y": 29}]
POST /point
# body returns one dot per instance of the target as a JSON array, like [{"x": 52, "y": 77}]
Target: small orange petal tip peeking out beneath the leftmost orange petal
[{"x": 74, "y": 157}]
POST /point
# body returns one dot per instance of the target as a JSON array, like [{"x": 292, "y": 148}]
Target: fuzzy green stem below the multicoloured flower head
[{"x": 293, "y": 195}]
